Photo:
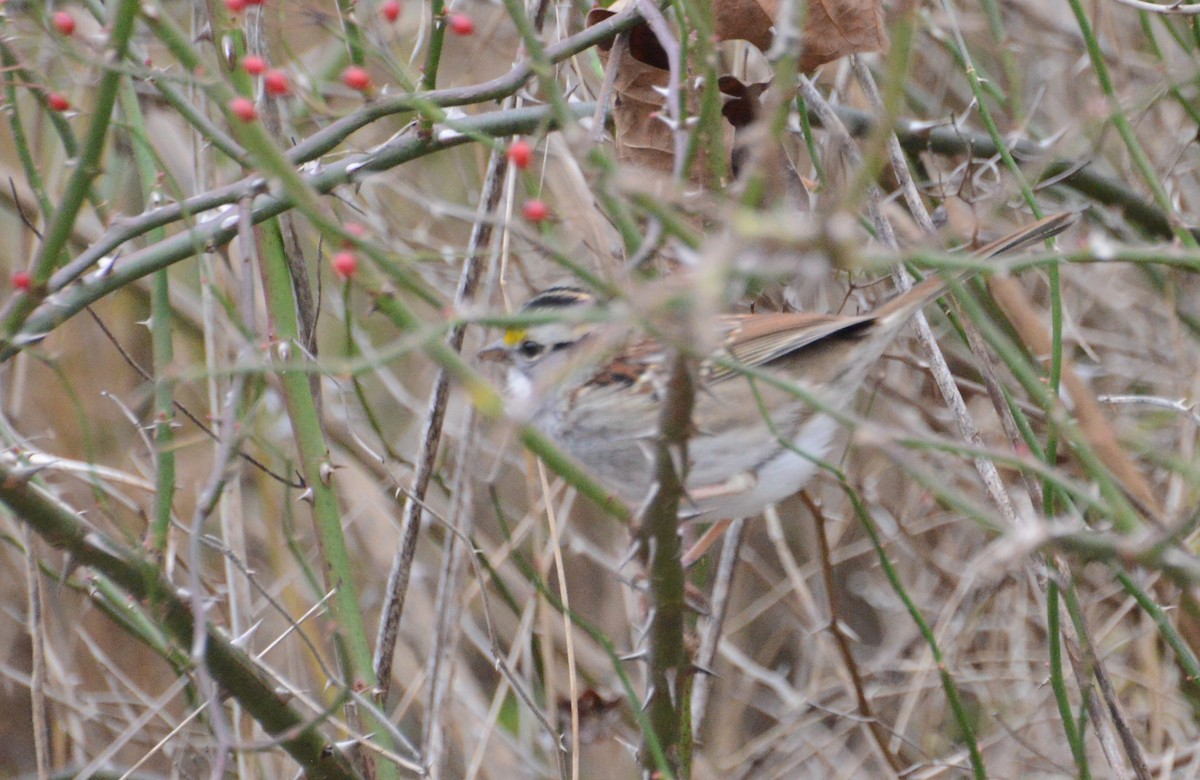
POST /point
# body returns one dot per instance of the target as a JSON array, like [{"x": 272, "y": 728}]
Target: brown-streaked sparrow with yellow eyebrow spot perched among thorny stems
[{"x": 595, "y": 388}]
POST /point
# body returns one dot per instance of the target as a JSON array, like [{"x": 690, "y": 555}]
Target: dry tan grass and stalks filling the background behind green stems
[{"x": 782, "y": 701}]
